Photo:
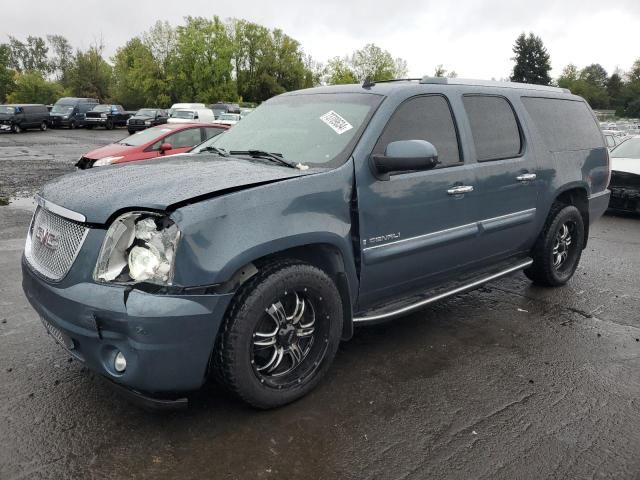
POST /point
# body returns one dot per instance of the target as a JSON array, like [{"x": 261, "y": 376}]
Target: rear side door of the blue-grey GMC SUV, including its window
[{"x": 506, "y": 171}]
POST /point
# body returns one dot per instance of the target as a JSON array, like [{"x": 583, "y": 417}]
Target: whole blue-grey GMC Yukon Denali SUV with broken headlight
[{"x": 324, "y": 209}]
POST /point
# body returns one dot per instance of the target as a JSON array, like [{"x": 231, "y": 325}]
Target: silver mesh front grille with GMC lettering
[{"x": 53, "y": 243}]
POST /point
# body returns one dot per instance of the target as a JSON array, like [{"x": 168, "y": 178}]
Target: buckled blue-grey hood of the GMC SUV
[{"x": 158, "y": 184}]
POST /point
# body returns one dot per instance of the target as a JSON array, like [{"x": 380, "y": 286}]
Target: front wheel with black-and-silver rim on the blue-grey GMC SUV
[{"x": 258, "y": 374}]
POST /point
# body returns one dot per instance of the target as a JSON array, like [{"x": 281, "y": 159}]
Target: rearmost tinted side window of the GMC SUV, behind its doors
[{"x": 564, "y": 125}]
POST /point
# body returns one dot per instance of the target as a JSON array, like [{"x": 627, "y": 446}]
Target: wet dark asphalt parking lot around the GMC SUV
[{"x": 510, "y": 381}]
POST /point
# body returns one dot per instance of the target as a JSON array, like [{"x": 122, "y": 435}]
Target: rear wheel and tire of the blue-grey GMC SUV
[{"x": 557, "y": 251}]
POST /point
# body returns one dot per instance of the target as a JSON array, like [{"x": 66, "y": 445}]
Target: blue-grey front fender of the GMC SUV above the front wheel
[{"x": 222, "y": 234}]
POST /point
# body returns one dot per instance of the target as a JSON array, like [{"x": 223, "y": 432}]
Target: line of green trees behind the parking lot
[{"x": 209, "y": 60}]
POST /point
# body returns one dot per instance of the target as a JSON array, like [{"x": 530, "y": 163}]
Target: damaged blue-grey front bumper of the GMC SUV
[{"x": 166, "y": 339}]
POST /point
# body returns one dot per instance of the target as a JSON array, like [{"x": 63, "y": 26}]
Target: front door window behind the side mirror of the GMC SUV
[{"x": 424, "y": 118}]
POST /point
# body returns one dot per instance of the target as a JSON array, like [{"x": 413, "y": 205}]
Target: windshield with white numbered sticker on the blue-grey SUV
[{"x": 313, "y": 129}]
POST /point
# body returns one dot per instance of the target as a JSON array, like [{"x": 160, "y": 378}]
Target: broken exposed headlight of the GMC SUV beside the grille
[{"x": 138, "y": 247}]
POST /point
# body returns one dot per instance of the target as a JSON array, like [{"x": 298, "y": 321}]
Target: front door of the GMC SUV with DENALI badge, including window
[{"x": 414, "y": 228}]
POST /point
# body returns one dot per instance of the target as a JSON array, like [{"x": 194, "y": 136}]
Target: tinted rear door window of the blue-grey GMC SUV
[{"x": 494, "y": 127}]
